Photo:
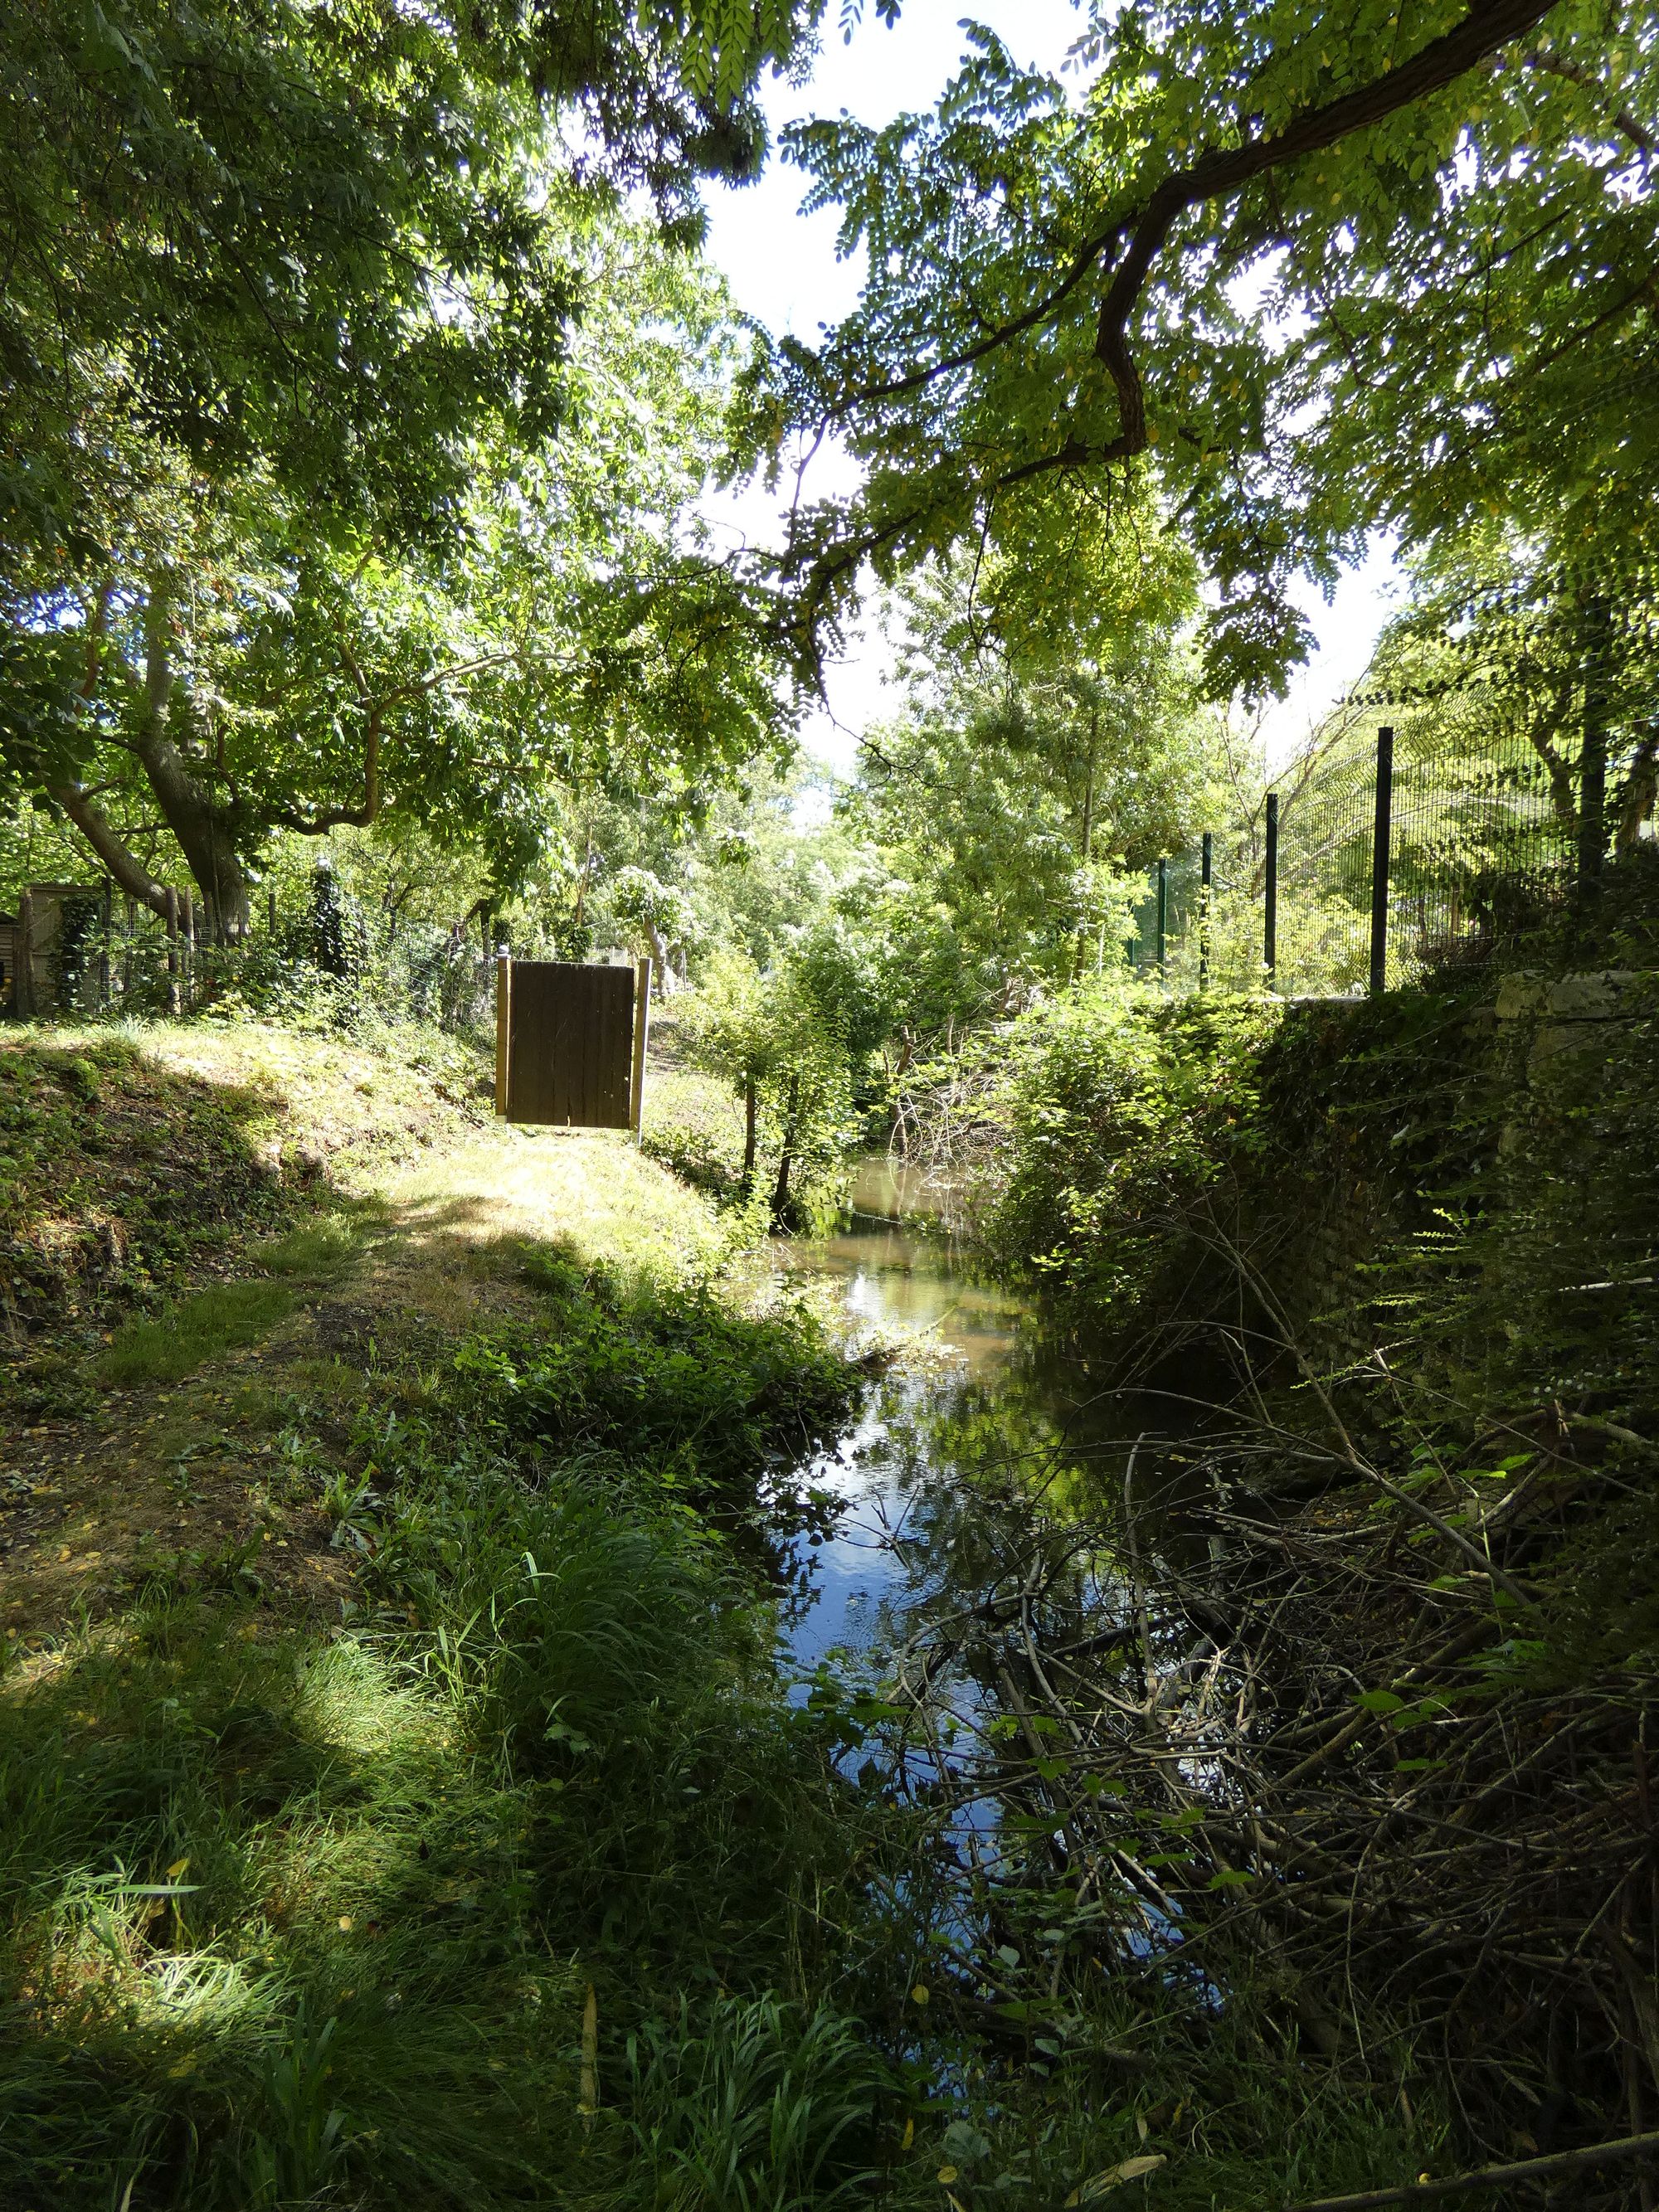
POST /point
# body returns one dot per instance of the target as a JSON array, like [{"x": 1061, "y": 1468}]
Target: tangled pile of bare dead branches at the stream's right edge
[{"x": 1322, "y": 1755}]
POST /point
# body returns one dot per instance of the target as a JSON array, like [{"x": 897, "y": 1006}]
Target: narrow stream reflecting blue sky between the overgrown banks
[{"x": 985, "y": 1521}]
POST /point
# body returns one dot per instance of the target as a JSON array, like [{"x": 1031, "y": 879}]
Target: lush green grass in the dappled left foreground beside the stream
[{"x": 291, "y": 1917}]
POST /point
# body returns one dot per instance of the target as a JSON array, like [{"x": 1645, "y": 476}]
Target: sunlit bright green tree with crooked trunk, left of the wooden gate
[{"x": 238, "y": 671}]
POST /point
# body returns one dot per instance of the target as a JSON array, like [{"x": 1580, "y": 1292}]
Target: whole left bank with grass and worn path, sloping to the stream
[{"x": 399, "y": 1806}]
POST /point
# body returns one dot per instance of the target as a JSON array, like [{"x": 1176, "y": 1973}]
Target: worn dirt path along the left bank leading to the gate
[{"x": 194, "y": 1483}]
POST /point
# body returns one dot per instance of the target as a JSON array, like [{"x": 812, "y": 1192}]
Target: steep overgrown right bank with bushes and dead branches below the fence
[{"x": 1370, "y": 1704}]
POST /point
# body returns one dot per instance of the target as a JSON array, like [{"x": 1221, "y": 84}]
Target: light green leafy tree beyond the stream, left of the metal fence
[{"x": 1041, "y": 760}]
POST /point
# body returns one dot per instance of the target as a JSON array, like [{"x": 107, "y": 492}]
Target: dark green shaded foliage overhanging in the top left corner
[{"x": 306, "y": 236}]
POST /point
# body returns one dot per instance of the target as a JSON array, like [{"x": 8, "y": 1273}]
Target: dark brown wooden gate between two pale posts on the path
[{"x": 572, "y": 1043}]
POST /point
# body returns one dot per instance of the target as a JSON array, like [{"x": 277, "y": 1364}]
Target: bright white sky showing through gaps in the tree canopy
[{"x": 784, "y": 271}]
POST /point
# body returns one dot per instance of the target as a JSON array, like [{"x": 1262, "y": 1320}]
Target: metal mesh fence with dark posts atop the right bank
[{"x": 1432, "y": 824}]
